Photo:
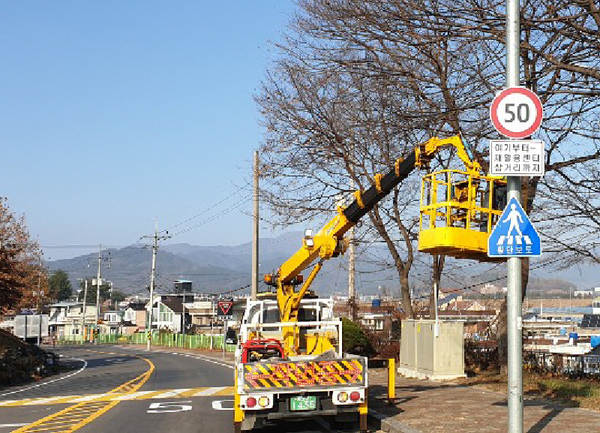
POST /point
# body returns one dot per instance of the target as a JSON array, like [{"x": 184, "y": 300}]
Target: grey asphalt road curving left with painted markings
[{"x": 177, "y": 392}]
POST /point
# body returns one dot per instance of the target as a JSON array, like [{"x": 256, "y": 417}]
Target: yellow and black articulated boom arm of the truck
[{"x": 329, "y": 241}]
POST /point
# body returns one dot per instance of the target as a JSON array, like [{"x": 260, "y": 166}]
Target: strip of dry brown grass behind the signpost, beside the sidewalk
[{"x": 578, "y": 393}]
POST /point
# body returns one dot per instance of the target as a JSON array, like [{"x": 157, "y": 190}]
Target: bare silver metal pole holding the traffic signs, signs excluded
[{"x": 514, "y": 283}]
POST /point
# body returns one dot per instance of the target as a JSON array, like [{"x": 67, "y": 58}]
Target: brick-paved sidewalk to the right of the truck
[{"x": 425, "y": 406}]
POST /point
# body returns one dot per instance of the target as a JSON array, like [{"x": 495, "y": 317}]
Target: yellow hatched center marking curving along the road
[{"x": 81, "y": 414}]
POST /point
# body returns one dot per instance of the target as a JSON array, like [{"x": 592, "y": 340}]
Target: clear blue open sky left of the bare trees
[{"x": 116, "y": 113}]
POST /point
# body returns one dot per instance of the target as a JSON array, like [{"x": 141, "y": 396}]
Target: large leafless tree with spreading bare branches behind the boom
[{"x": 360, "y": 82}]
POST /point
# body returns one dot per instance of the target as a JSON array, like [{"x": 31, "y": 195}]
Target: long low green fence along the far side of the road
[{"x": 158, "y": 339}]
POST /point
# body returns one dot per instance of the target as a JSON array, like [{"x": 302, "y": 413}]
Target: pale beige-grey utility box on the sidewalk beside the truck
[{"x": 432, "y": 351}]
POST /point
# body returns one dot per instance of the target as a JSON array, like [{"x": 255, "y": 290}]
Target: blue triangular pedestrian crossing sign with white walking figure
[{"x": 514, "y": 235}]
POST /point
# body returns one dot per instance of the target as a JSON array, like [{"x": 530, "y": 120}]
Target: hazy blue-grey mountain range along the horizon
[{"x": 218, "y": 269}]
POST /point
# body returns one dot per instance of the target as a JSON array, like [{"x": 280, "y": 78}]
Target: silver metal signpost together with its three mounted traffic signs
[{"x": 516, "y": 113}]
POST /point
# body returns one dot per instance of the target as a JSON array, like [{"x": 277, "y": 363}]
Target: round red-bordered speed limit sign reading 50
[{"x": 516, "y": 112}]
